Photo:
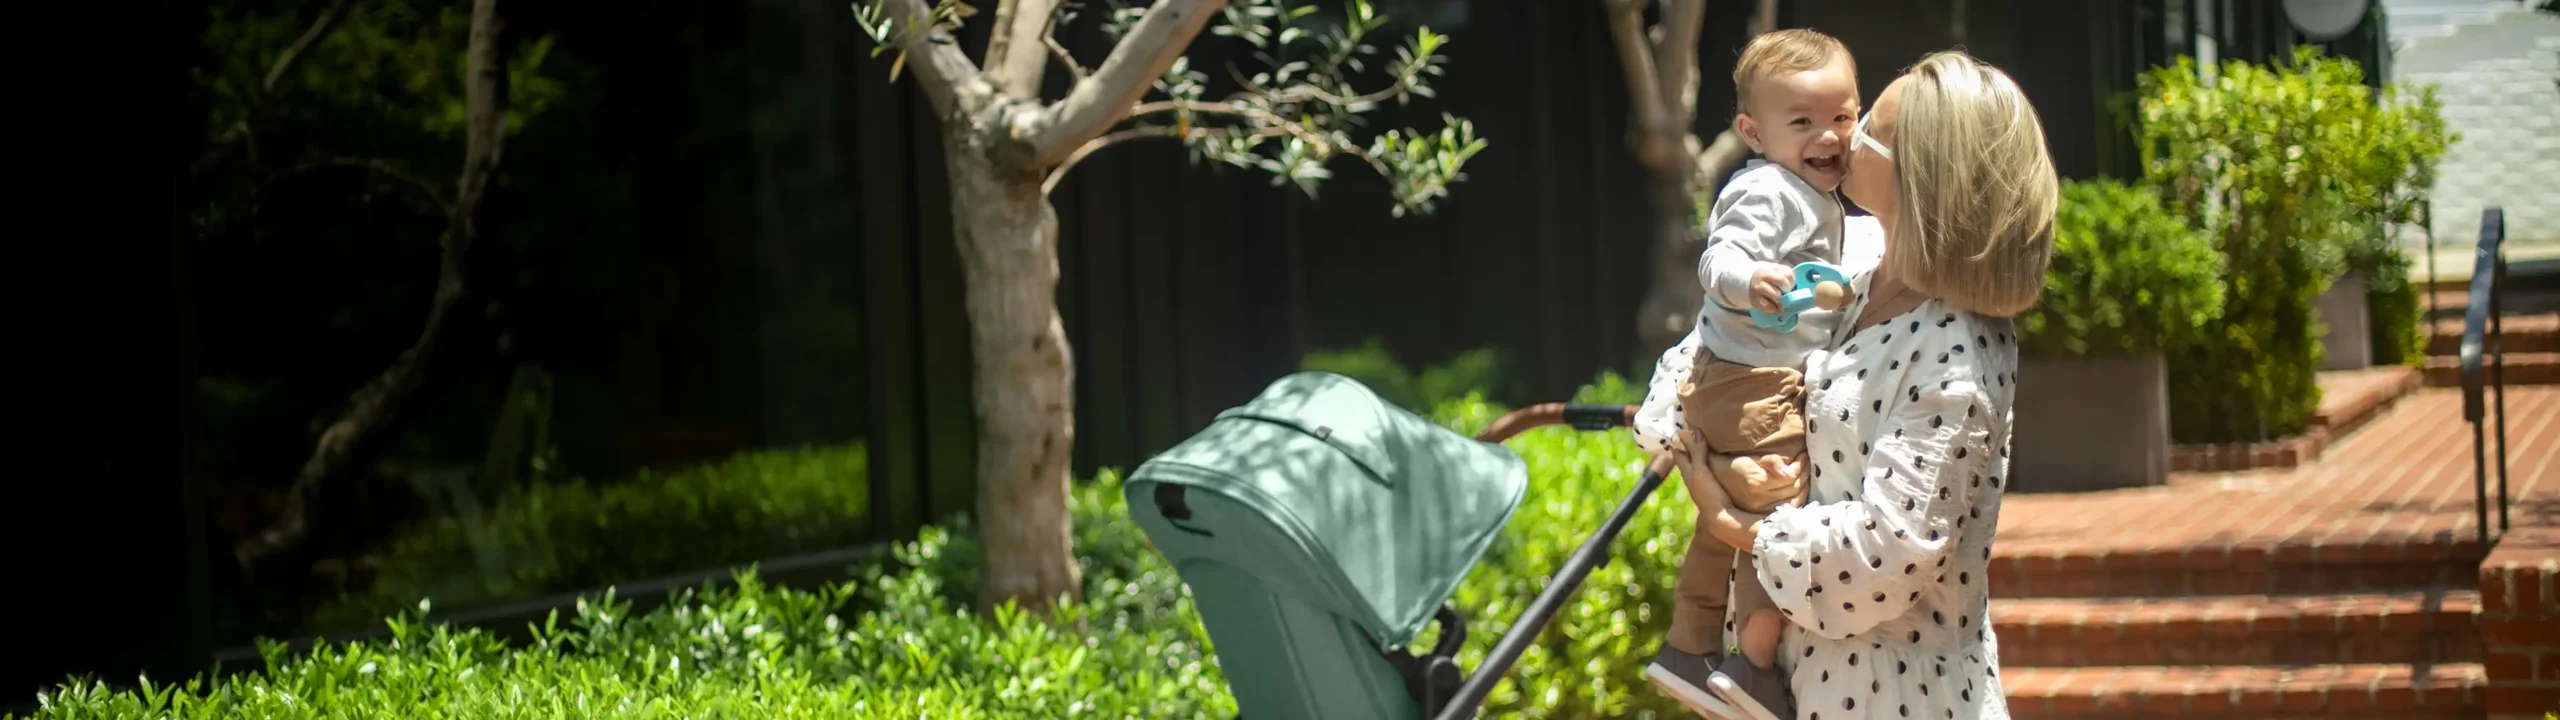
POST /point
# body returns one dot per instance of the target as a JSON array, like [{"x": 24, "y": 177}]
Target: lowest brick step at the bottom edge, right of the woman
[{"x": 2354, "y": 691}]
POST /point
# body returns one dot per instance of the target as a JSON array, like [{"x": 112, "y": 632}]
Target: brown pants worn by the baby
[{"x": 1745, "y": 414}]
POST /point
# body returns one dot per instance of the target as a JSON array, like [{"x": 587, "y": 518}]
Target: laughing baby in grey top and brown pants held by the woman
[{"x": 1742, "y": 386}]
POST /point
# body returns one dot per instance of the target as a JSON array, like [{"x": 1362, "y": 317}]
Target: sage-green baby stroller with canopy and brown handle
[{"x": 1322, "y": 529}]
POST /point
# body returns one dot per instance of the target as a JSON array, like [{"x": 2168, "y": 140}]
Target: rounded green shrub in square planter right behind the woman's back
[{"x": 2129, "y": 283}]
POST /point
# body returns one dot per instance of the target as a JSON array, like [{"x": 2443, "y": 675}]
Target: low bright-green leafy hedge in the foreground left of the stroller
[{"x": 756, "y": 652}]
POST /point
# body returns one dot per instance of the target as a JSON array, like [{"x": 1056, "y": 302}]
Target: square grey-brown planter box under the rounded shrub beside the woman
[{"x": 2090, "y": 424}]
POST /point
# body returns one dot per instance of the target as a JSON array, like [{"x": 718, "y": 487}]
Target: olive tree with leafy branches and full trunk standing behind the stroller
[{"x": 1007, "y": 147}]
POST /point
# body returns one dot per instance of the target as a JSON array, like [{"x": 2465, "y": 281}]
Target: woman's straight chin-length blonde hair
[{"x": 1978, "y": 193}]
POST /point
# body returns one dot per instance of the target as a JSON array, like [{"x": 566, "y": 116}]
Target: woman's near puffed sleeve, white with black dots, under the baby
[{"x": 1844, "y": 568}]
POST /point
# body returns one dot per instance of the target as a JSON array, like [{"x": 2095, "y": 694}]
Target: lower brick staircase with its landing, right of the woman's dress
[{"x": 2349, "y": 588}]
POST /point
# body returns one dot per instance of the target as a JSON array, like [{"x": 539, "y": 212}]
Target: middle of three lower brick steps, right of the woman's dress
[{"x": 2239, "y": 629}]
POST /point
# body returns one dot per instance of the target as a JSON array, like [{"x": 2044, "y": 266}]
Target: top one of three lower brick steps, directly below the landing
[{"x": 2382, "y": 562}]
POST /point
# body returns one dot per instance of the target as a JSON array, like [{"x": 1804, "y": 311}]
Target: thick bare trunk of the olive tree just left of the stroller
[{"x": 1025, "y": 375}]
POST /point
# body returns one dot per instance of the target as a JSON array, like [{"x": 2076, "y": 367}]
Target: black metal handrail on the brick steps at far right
[{"x": 2487, "y": 340}]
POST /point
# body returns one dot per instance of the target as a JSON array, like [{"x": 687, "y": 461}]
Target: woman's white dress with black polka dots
[{"x": 1885, "y": 573}]
